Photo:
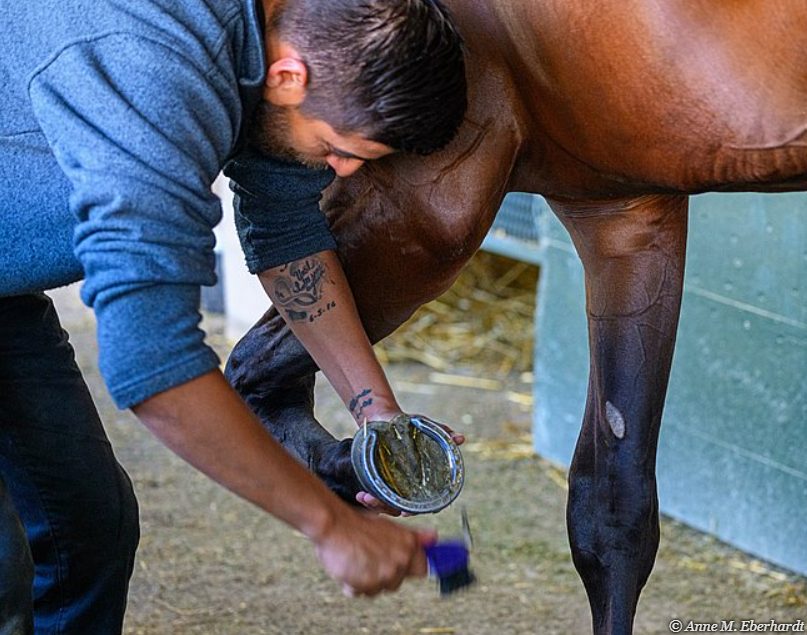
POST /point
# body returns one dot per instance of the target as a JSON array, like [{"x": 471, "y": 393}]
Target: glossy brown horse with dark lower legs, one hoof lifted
[{"x": 616, "y": 111}]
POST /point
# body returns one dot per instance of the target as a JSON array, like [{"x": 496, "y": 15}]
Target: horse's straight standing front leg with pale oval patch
[{"x": 633, "y": 253}]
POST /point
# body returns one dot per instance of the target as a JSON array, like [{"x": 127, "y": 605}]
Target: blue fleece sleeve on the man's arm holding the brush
[{"x": 140, "y": 131}]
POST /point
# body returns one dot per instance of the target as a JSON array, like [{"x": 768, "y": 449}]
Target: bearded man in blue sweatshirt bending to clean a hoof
[{"x": 115, "y": 121}]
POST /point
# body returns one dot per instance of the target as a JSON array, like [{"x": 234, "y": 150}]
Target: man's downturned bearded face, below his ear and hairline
[{"x": 286, "y": 133}]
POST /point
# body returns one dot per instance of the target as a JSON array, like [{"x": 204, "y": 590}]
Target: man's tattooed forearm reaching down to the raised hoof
[{"x": 314, "y": 297}]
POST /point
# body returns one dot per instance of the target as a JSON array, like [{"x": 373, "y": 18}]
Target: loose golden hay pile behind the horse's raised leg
[{"x": 483, "y": 324}]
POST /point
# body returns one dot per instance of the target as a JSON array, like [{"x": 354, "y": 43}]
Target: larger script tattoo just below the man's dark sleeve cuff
[{"x": 300, "y": 286}]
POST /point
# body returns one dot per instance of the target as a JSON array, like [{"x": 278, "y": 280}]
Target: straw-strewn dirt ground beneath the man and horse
[{"x": 211, "y": 564}]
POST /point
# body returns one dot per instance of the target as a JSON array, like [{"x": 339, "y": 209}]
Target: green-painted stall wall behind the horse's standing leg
[{"x": 733, "y": 451}]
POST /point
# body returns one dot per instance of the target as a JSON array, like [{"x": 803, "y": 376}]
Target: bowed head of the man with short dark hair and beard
[{"x": 379, "y": 75}]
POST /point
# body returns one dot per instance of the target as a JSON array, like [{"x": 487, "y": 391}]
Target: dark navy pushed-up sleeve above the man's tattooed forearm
[{"x": 277, "y": 211}]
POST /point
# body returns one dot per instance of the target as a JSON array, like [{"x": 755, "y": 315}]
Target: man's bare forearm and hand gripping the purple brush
[{"x": 208, "y": 425}]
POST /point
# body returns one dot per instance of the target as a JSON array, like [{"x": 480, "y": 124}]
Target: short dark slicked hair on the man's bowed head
[{"x": 391, "y": 70}]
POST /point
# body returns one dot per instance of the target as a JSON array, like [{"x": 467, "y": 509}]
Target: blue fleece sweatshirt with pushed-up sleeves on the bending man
[{"x": 115, "y": 118}]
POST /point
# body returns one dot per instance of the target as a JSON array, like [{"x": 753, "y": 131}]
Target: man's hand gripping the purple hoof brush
[{"x": 370, "y": 554}]
